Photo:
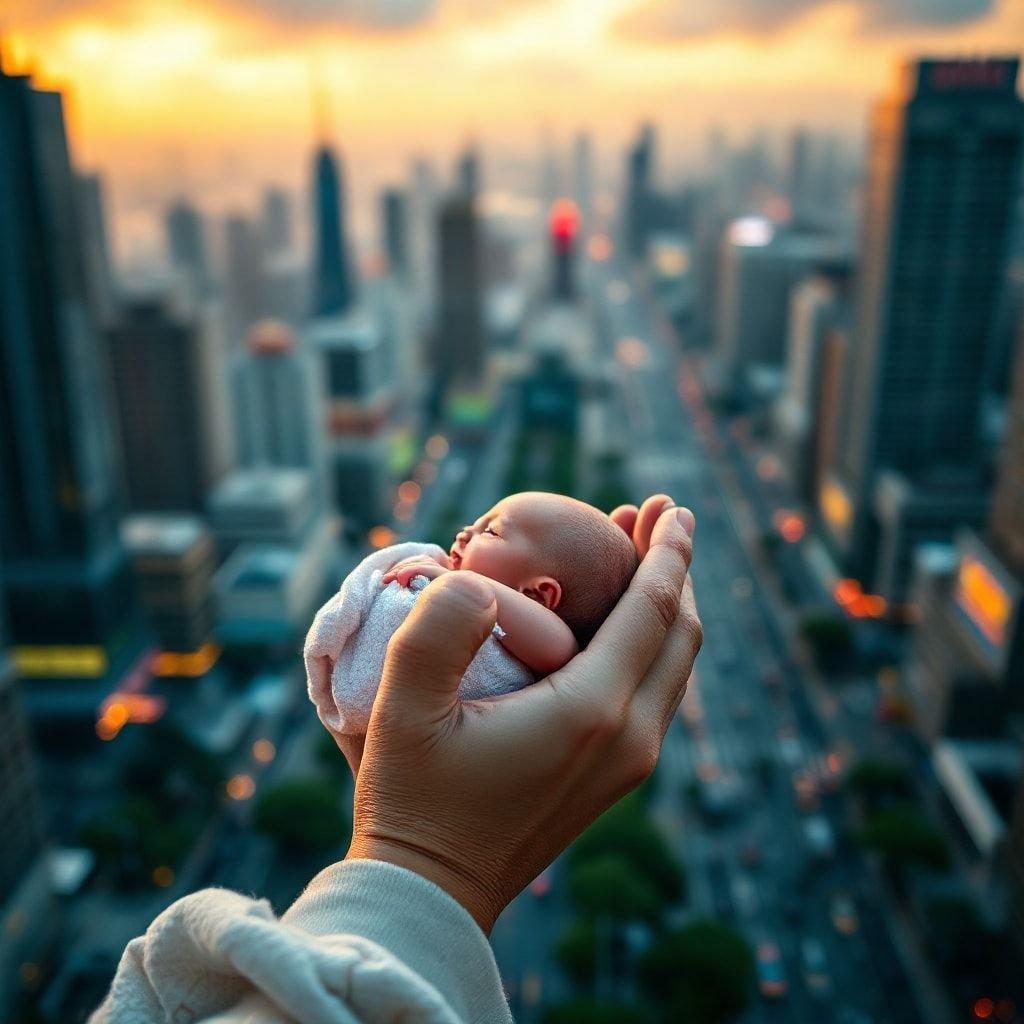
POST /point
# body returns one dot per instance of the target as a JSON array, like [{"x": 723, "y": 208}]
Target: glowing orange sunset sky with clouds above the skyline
[{"x": 218, "y": 94}]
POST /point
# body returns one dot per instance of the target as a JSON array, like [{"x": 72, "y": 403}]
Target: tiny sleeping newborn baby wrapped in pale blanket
[{"x": 558, "y": 568}]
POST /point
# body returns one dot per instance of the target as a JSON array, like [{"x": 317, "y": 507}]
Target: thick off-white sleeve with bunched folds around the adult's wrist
[{"x": 366, "y": 944}]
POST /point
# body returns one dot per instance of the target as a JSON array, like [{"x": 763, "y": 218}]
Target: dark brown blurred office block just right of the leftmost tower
[{"x": 167, "y": 382}]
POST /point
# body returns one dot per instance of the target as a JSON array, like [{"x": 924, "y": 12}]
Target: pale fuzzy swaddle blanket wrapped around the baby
[{"x": 346, "y": 647}]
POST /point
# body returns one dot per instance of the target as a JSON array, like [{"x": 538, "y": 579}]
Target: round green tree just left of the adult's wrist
[{"x": 304, "y": 816}]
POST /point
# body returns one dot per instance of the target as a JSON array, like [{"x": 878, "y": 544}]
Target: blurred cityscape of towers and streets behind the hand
[{"x": 816, "y": 344}]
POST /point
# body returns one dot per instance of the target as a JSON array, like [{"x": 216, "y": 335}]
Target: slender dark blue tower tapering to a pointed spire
[{"x": 334, "y": 279}]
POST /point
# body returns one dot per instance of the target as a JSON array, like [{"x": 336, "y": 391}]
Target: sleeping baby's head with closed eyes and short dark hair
[{"x": 564, "y": 553}]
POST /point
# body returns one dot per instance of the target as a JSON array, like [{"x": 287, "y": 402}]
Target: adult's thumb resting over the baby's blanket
[{"x": 431, "y": 652}]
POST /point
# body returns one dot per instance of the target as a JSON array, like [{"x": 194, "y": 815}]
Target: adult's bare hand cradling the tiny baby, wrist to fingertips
[{"x": 481, "y": 796}]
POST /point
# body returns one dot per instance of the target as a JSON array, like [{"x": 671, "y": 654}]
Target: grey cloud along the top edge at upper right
[{"x": 668, "y": 20}]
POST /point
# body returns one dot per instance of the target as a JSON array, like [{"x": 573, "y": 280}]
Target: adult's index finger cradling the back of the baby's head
[{"x": 632, "y": 635}]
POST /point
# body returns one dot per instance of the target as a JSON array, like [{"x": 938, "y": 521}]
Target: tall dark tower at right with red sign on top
[{"x": 943, "y": 178}]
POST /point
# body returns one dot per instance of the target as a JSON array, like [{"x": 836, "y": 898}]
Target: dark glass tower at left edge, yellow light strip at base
[{"x": 65, "y": 572}]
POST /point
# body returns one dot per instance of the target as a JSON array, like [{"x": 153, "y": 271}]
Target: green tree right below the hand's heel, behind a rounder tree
[{"x": 626, "y": 831}]
